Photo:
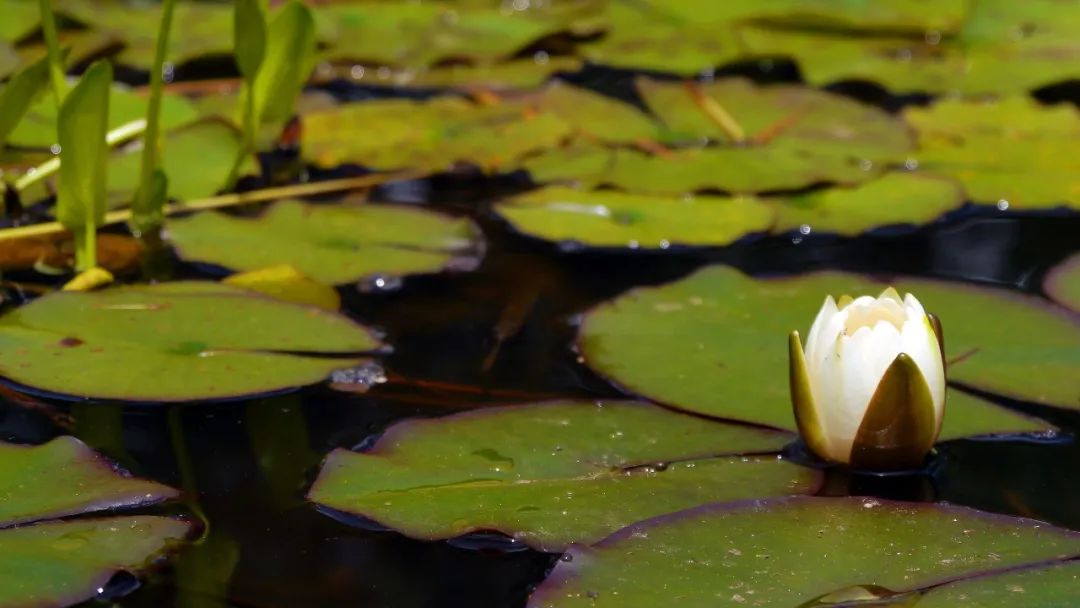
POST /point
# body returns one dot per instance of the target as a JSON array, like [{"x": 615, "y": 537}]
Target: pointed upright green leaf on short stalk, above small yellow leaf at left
[{"x": 83, "y": 125}]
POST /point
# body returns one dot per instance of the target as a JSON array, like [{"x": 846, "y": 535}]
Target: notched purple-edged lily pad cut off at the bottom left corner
[{"x": 49, "y": 562}]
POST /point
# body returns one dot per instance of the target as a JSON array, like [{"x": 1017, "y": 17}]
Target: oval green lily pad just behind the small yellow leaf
[{"x": 330, "y": 244}]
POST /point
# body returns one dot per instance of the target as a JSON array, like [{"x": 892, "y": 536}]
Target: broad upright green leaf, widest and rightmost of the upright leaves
[{"x": 290, "y": 57}]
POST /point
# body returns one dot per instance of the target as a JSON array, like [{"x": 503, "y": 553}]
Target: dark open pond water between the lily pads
[{"x": 505, "y": 334}]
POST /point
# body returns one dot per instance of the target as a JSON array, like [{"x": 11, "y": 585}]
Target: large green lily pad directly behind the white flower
[{"x": 731, "y": 333}]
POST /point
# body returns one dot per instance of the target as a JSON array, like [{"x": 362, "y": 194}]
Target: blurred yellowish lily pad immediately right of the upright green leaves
[{"x": 433, "y": 136}]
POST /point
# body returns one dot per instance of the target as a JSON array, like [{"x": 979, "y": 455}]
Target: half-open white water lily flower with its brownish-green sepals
[{"x": 870, "y": 389}]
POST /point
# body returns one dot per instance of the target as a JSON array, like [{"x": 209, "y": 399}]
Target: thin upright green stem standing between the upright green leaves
[{"x": 145, "y": 204}]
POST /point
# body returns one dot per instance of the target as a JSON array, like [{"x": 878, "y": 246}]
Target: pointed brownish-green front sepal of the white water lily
[{"x": 899, "y": 427}]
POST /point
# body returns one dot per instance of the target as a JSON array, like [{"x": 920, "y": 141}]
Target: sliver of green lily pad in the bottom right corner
[{"x": 1058, "y": 586}]
